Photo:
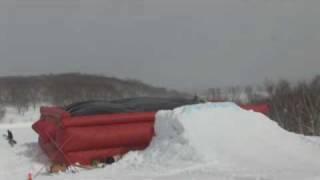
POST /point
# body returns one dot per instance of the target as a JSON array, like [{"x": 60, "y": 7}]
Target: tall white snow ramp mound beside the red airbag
[{"x": 223, "y": 134}]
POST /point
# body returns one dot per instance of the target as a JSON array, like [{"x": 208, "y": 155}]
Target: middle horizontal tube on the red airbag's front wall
[{"x": 106, "y": 136}]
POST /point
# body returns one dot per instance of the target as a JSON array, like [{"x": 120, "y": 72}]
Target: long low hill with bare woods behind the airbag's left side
[{"x": 62, "y": 89}]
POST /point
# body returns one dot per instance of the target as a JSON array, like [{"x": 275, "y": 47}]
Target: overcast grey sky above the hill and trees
[{"x": 183, "y": 44}]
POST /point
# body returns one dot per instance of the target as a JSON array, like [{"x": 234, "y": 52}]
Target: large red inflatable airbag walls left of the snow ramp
[{"x": 83, "y": 139}]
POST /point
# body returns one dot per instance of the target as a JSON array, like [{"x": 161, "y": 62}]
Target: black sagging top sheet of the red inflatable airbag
[{"x": 139, "y": 104}]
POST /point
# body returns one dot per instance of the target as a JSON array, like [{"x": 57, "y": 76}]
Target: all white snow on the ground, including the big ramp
[{"x": 216, "y": 141}]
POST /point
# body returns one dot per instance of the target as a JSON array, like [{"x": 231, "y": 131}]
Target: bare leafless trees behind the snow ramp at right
[{"x": 296, "y": 107}]
